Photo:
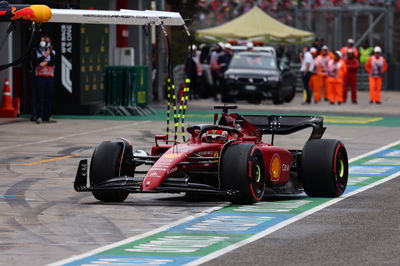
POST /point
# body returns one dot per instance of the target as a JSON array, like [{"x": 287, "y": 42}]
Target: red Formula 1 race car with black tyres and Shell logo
[{"x": 227, "y": 157}]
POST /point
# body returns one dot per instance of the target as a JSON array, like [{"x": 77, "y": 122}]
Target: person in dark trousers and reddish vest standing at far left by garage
[{"x": 44, "y": 66}]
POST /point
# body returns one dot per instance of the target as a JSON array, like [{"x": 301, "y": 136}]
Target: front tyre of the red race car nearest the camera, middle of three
[{"x": 242, "y": 169}]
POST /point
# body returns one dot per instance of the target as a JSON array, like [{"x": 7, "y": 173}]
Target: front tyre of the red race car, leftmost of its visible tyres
[{"x": 106, "y": 163}]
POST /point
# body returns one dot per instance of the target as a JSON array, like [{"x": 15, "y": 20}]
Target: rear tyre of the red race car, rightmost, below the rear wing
[{"x": 324, "y": 168}]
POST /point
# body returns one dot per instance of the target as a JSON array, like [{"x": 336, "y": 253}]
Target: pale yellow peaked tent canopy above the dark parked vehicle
[{"x": 255, "y": 25}]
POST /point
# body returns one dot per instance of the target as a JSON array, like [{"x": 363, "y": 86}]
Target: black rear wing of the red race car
[{"x": 284, "y": 125}]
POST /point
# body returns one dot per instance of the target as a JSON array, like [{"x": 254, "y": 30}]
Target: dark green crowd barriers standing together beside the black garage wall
[{"x": 126, "y": 90}]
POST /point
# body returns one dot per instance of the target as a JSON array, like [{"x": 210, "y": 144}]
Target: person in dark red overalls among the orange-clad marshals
[{"x": 350, "y": 80}]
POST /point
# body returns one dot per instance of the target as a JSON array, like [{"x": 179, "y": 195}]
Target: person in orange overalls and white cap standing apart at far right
[{"x": 375, "y": 66}]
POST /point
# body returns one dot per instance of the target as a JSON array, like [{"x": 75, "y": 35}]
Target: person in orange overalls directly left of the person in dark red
[{"x": 336, "y": 72}]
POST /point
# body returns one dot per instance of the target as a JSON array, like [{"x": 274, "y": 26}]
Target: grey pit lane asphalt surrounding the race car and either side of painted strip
[{"x": 43, "y": 220}]
